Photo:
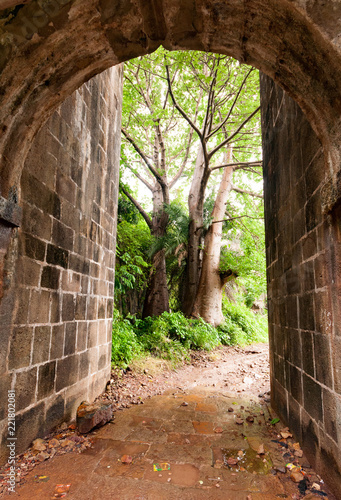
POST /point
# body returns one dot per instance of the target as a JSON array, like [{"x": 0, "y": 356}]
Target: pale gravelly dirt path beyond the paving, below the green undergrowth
[{"x": 244, "y": 371}]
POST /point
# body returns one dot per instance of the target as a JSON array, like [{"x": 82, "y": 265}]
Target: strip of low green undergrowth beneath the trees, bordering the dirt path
[{"x": 171, "y": 336}]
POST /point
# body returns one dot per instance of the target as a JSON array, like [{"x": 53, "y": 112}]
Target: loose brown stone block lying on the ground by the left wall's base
[{"x": 93, "y": 415}]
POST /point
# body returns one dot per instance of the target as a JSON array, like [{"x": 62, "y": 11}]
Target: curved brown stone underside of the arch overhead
[{"x": 49, "y": 48}]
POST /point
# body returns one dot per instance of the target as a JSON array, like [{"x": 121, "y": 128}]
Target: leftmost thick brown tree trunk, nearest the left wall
[{"x": 157, "y": 296}]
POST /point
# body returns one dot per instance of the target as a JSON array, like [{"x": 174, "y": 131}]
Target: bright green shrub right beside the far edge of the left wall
[{"x": 125, "y": 344}]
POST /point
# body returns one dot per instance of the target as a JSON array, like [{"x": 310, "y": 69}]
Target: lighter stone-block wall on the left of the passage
[{"x": 58, "y": 285}]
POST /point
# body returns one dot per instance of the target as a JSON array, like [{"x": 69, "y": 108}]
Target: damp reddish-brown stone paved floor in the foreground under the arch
[{"x": 194, "y": 439}]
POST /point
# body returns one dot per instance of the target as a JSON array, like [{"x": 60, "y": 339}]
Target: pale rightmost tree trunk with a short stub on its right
[{"x": 208, "y": 301}]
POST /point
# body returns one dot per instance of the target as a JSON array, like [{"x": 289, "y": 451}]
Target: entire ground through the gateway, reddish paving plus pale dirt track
[{"x": 209, "y": 422}]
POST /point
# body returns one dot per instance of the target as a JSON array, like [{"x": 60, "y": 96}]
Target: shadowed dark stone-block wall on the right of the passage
[{"x": 304, "y": 280}]
